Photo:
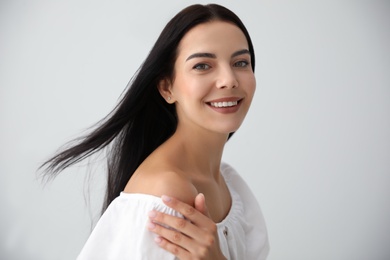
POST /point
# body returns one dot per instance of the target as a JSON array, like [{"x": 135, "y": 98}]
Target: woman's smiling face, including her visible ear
[{"x": 214, "y": 83}]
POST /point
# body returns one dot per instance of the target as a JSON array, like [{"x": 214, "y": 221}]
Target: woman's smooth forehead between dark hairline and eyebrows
[{"x": 215, "y": 37}]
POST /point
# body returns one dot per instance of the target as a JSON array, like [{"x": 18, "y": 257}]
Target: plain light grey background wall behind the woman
[{"x": 315, "y": 147}]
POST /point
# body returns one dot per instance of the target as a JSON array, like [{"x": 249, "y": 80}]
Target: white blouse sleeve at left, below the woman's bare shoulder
[{"x": 121, "y": 232}]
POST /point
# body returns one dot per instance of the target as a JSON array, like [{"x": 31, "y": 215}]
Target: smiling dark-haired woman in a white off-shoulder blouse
[{"x": 166, "y": 139}]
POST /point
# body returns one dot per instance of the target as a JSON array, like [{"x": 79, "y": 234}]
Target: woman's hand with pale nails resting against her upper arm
[{"x": 194, "y": 237}]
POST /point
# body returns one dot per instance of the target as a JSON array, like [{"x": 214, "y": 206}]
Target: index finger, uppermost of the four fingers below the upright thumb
[{"x": 187, "y": 211}]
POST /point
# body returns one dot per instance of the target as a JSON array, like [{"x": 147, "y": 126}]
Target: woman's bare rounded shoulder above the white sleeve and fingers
[{"x": 160, "y": 182}]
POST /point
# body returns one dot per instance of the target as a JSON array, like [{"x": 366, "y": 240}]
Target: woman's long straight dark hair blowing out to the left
[{"x": 142, "y": 120}]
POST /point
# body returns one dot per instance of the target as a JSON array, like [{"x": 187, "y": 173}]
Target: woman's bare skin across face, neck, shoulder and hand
[{"x": 213, "y": 65}]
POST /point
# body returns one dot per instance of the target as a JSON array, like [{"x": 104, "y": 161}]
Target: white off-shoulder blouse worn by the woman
[{"x": 121, "y": 232}]
